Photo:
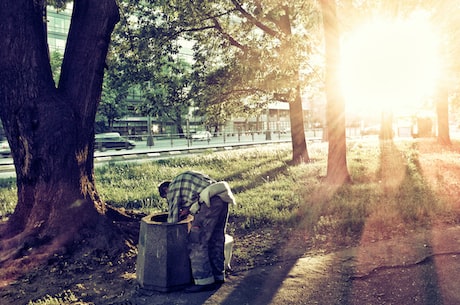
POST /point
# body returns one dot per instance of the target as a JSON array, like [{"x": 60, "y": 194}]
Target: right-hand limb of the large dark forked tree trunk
[{"x": 87, "y": 46}]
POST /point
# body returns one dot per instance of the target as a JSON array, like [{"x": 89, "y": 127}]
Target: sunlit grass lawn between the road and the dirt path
[{"x": 390, "y": 193}]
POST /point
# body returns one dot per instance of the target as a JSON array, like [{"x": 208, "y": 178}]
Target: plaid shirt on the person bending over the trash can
[{"x": 184, "y": 190}]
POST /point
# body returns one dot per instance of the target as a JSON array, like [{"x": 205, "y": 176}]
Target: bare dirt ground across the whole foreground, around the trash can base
[{"x": 420, "y": 268}]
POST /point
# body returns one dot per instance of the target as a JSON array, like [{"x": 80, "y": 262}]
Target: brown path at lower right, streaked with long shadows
[{"x": 421, "y": 268}]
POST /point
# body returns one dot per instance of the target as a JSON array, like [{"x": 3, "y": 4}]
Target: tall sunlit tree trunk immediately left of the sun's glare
[{"x": 337, "y": 171}]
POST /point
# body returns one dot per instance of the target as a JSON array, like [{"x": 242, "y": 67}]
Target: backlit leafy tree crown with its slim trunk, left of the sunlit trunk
[{"x": 266, "y": 47}]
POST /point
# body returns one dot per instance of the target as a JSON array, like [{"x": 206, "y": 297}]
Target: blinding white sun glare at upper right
[{"x": 390, "y": 65}]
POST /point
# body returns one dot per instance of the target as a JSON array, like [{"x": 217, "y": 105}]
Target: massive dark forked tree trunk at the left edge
[{"x": 51, "y": 130}]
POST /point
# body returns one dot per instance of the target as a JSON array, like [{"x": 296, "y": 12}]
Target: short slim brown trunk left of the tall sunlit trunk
[{"x": 299, "y": 145}]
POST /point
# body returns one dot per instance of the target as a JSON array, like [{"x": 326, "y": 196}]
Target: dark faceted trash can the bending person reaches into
[{"x": 162, "y": 262}]
